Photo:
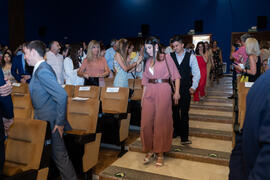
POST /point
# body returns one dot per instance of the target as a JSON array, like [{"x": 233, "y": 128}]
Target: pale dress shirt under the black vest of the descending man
[{"x": 195, "y": 70}]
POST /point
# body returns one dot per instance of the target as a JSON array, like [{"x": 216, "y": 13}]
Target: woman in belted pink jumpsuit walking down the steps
[{"x": 157, "y": 123}]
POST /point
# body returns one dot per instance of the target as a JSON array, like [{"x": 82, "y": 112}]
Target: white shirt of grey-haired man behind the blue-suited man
[{"x": 56, "y": 62}]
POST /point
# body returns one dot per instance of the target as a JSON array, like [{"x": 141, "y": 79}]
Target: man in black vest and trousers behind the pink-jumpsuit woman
[{"x": 187, "y": 65}]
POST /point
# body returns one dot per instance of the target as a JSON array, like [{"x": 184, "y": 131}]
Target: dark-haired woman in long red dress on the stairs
[{"x": 202, "y": 60}]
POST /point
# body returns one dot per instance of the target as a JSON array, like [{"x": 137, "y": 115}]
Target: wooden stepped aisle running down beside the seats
[{"x": 206, "y": 158}]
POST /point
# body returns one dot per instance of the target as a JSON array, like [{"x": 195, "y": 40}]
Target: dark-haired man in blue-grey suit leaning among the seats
[{"x": 49, "y": 100}]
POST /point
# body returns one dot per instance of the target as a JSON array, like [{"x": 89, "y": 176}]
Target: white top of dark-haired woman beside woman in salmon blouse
[{"x": 71, "y": 76}]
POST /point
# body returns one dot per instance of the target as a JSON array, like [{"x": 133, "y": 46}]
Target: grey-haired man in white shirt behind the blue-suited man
[{"x": 56, "y": 61}]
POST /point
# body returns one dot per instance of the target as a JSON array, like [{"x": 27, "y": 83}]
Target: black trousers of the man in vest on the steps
[{"x": 181, "y": 119}]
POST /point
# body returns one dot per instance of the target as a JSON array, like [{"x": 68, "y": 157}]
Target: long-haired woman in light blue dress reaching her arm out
[{"x": 121, "y": 65}]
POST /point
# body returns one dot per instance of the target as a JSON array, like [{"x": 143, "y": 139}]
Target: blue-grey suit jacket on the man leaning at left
[{"x": 49, "y": 99}]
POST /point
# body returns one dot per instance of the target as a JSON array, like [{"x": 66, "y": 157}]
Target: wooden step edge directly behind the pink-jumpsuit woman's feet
[{"x": 189, "y": 153}]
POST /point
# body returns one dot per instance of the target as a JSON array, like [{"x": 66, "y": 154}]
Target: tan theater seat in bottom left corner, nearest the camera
[{"x": 27, "y": 153}]
